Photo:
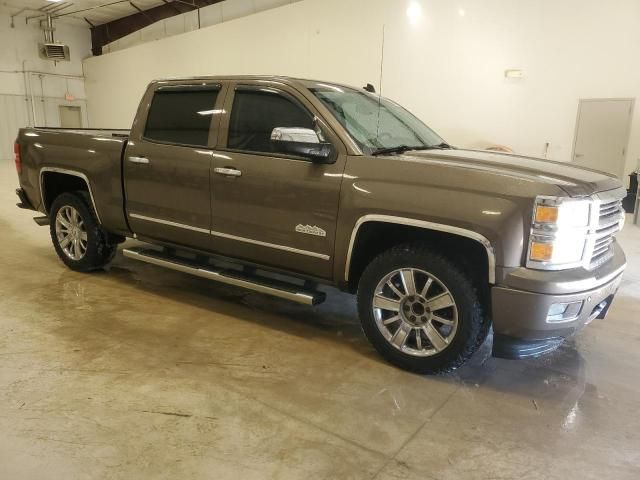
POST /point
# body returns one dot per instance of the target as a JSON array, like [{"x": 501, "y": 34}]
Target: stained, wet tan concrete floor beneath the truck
[{"x": 141, "y": 372}]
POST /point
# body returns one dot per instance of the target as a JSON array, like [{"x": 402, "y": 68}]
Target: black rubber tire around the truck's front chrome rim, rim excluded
[{"x": 472, "y": 322}]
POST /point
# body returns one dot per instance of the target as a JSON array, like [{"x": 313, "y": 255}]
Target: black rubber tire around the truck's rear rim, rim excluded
[{"x": 99, "y": 249}]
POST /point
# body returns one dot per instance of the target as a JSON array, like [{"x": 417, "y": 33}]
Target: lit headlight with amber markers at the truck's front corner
[{"x": 559, "y": 233}]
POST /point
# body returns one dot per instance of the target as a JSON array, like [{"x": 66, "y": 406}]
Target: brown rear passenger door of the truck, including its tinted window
[{"x": 167, "y": 162}]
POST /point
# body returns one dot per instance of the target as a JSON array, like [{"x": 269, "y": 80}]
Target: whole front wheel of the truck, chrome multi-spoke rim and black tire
[{"x": 420, "y": 311}]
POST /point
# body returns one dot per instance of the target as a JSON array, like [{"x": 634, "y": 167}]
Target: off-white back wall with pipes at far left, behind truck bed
[{"x": 19, "y": 53}]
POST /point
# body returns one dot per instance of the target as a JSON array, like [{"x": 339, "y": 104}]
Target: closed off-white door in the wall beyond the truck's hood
[{"x": 602, "y": 134}]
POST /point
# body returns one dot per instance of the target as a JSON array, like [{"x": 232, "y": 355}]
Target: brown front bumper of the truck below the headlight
[{"x": 520, "y": 315}]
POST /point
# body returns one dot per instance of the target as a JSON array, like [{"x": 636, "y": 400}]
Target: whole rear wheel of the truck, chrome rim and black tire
[{"x": 77, "y": 237}]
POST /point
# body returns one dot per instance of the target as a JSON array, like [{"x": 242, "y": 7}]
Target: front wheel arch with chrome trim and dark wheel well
[{"x": 360, "y": 251}]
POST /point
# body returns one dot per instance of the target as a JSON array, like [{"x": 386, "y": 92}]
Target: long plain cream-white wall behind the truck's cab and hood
[{"x": 446, "y": 65}]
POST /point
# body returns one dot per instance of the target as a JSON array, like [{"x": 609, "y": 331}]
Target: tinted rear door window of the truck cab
[{"x": 181, "y": 116}]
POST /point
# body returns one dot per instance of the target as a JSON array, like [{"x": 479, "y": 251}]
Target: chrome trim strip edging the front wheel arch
[{"x": 428, "y": 226}]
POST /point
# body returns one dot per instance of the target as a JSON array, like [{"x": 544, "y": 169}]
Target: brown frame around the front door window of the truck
[{"x": 279, "y": 89}]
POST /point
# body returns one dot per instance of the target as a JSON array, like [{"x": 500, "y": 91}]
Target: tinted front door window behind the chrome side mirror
[{"x": 256, "y": 113}]
